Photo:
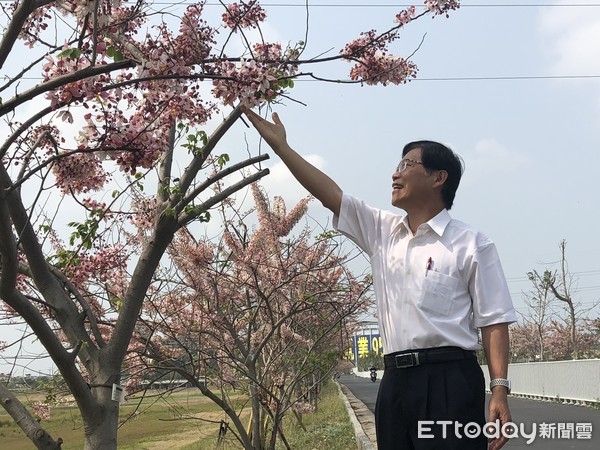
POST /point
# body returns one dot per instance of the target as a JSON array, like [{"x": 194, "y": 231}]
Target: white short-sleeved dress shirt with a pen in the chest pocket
[{"x": 433, "y": 288}]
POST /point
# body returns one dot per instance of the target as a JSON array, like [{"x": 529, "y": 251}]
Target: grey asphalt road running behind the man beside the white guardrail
[{"x": 576, "y": 422}]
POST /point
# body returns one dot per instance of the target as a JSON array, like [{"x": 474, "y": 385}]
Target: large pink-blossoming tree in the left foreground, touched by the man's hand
[{"x": 111, "y": 137}]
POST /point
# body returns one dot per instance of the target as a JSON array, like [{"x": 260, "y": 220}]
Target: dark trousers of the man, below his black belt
[{"x": 452, "y": 391}]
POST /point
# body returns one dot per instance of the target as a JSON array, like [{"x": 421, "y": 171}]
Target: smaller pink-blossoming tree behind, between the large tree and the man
[{"x": 262, "y": 312}]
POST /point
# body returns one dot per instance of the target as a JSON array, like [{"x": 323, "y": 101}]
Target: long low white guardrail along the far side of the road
[{"x": 575, "y": 381}]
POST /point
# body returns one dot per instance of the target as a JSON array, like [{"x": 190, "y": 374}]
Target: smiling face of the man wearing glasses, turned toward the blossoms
[{"x": 411, "y": 184}]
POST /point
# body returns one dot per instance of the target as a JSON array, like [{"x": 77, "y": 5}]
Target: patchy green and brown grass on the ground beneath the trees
[{"x": 158, "y": 424}]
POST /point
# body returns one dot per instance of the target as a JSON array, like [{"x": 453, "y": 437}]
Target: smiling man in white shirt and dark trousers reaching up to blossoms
[{"x": 437, "y": 281}]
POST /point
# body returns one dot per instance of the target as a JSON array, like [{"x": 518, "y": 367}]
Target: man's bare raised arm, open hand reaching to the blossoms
[{"x": 316, "y": 182}]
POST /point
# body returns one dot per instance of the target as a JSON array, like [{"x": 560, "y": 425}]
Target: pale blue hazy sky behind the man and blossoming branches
[{"x": 513, "y": 87}]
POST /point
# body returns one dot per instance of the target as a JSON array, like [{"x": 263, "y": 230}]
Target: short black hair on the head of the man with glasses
[{"x": 436, "y": 156}]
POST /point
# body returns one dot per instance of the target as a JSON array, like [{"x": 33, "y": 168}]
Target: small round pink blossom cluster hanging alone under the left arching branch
[{"x": 79, "y": 172}]
